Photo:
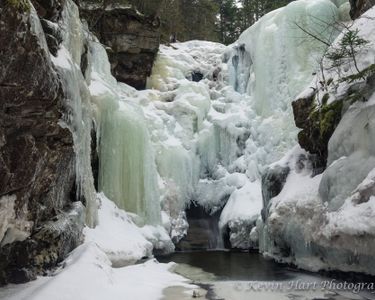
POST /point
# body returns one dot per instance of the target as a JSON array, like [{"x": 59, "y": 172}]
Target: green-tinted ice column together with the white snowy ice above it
[{"x": 127, "y": 171}]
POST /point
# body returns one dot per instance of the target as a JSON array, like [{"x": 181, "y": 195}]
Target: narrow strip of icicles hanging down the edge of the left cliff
[{"x": 79, "y": 118}]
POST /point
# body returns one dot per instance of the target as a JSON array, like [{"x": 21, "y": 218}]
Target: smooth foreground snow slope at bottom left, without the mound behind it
[{"x": 87, "y": 275}]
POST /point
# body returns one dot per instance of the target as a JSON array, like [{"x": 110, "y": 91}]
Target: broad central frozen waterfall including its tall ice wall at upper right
[{"x": 245, "y": 125}]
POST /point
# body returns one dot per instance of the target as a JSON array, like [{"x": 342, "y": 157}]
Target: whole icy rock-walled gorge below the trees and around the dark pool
[{"x": 119, "y": 149}]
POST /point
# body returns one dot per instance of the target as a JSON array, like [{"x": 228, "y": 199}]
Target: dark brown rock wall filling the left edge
[{"x": 39, "y": 223}]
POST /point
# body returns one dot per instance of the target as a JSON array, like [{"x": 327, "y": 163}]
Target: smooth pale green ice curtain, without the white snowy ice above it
[{"x": 126, "y": 168}]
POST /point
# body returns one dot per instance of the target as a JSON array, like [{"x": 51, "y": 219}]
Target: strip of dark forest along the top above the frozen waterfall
[{"x": 213, "y": 20}]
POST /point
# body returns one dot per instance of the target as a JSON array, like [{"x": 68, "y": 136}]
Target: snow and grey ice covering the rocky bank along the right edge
[{"x": 326, "y": 221}]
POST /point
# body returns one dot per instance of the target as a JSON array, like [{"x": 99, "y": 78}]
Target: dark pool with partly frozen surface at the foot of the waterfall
[{"x": 247, "y": 267}]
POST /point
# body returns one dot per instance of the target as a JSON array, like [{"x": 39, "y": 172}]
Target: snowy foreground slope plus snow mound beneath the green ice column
[{"x": 98, "y": 269}]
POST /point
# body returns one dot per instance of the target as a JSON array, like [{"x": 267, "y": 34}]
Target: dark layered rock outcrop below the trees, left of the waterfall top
[{"x": 132, "y": 40}]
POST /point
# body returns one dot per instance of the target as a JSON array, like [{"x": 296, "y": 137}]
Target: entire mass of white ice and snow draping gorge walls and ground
[{"x": 209, "y": 141}]
